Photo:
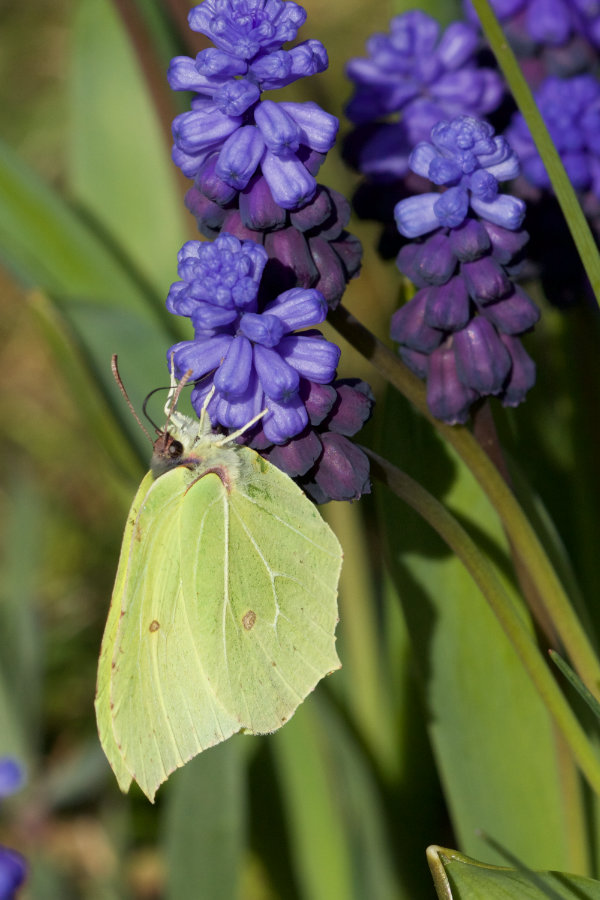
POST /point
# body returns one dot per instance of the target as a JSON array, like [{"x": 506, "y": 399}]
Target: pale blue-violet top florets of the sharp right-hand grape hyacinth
[{"x": 465, "y": 158}]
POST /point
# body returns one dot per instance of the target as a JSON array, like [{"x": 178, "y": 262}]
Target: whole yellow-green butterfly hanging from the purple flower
[{"x": 224, "y": 609}]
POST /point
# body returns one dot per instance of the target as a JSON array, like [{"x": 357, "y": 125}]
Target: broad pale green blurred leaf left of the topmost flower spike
[{"x": 125, "y": 178}]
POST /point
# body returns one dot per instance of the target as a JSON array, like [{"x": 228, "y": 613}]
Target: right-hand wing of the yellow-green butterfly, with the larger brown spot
[{"x": 270, "y": 597}]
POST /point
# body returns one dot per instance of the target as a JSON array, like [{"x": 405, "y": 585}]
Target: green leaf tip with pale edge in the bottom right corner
[{"x": 458, "y": 877}]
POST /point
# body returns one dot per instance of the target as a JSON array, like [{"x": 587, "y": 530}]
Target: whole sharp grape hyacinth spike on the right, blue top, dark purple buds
[{"x": 461, "y": 329}]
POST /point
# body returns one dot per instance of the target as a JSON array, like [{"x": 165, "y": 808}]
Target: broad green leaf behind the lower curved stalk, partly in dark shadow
[{"x": 491, "y": 735}]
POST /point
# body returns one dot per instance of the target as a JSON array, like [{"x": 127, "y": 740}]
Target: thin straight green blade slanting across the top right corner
[{"x": 563, "y": 188}]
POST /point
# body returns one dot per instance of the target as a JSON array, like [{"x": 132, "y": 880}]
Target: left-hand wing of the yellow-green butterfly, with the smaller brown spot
[{"x": 163, "y": 708}]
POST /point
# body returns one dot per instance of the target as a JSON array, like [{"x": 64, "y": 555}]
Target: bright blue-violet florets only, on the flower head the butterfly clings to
[{"x": 252, "y": 357}]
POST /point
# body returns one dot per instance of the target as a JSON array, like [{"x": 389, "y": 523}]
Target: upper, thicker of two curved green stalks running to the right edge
[{"x": 514, "y": 520}]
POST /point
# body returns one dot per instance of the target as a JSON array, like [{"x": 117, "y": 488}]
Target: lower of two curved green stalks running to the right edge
[{"x": 485, "y": 577}]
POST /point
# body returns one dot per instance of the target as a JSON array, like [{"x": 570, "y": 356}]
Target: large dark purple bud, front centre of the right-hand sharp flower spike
[{"x": 482, "y": 360}]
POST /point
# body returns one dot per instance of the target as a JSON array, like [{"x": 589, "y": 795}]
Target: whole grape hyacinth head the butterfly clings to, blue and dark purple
[{"x": 246, "y": 348}]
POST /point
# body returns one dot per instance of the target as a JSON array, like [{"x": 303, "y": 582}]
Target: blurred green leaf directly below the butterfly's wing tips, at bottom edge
[{"x": 204, "y": 825}]
